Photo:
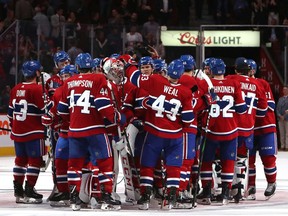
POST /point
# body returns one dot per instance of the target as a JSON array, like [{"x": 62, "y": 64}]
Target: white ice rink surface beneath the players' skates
[{"x": 277, "y": 205}]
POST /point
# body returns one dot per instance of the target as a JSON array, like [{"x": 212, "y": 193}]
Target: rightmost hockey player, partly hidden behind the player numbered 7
[{"x": 264, "y": 142}]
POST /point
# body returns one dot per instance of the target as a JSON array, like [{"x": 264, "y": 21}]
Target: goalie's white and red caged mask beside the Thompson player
[{"x": 114, "y": 70}]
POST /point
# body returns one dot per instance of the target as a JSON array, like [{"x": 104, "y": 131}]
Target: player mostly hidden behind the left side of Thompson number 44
[{"x": 62, "y": 145}]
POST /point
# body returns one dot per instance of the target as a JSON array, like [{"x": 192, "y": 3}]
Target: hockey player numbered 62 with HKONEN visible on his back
[{"x": 220, "y": 131}]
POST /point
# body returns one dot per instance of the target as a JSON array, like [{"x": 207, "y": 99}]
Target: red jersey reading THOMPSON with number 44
[{"x": 86, "y": 103}]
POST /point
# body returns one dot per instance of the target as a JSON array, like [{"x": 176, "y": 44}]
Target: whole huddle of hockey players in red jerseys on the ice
[{"x": 174, "y": 128}]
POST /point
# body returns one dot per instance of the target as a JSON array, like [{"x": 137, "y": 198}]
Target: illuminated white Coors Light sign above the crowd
[{"x": 212, "y": 38}]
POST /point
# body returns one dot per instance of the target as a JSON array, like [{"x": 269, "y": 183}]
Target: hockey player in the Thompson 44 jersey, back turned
[{"x": 85, "y": 104}]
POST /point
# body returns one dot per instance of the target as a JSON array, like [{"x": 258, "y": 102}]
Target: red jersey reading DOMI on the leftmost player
[{"x": 26, "y": 106}]
